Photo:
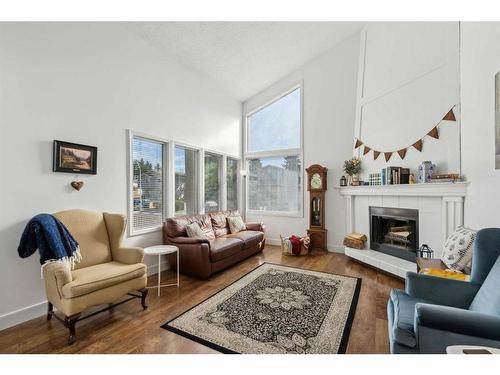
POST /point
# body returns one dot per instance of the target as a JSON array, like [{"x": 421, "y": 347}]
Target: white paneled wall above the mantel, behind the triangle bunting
[{"x": 408, "y": 80}]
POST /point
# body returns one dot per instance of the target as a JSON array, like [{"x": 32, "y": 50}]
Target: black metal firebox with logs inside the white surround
[{"x": 394, "y": 231}]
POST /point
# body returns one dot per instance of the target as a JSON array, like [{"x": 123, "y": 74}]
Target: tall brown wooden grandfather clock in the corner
[{"x": 316, "y": 185}]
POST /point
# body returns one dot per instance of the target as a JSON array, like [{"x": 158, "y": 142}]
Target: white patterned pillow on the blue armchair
[{"x": 457, "y": 251}]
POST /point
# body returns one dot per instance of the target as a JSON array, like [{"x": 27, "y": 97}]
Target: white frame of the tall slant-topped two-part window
[{"x": 281, "y": 152}]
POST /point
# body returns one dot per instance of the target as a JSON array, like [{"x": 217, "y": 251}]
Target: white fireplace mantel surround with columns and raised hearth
[{"x": 441, "y": 211}]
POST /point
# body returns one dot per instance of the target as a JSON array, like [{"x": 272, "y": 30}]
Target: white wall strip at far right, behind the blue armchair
[{"x": 480, "y": 61}]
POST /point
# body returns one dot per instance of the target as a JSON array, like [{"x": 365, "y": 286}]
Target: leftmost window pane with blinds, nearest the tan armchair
[{"x": 147, "y": 184}]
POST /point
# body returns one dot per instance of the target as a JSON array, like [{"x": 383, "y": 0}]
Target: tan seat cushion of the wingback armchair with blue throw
[{"x": 89, "y": 279}]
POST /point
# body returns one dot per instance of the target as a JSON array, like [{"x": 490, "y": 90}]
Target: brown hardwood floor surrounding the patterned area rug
[{"x": 129, "y": 329}]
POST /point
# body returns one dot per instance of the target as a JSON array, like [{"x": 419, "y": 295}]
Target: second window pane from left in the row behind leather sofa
[{"x": 186, "y": 181}]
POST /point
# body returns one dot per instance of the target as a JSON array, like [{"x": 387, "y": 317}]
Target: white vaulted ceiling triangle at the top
[{"x": 244, "y": 57}]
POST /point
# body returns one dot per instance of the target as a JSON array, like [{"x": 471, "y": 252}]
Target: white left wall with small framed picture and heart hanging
[{"x": 87, "y": 83}]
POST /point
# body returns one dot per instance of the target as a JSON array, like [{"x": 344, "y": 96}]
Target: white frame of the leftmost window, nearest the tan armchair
[{"x": 165, "y": 188}]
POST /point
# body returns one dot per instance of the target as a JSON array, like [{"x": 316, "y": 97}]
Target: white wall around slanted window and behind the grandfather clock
[{"x": 329, "y": 98}]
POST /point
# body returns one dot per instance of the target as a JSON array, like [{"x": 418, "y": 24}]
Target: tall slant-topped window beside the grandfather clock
[{"x": 274, "y": 156}]
